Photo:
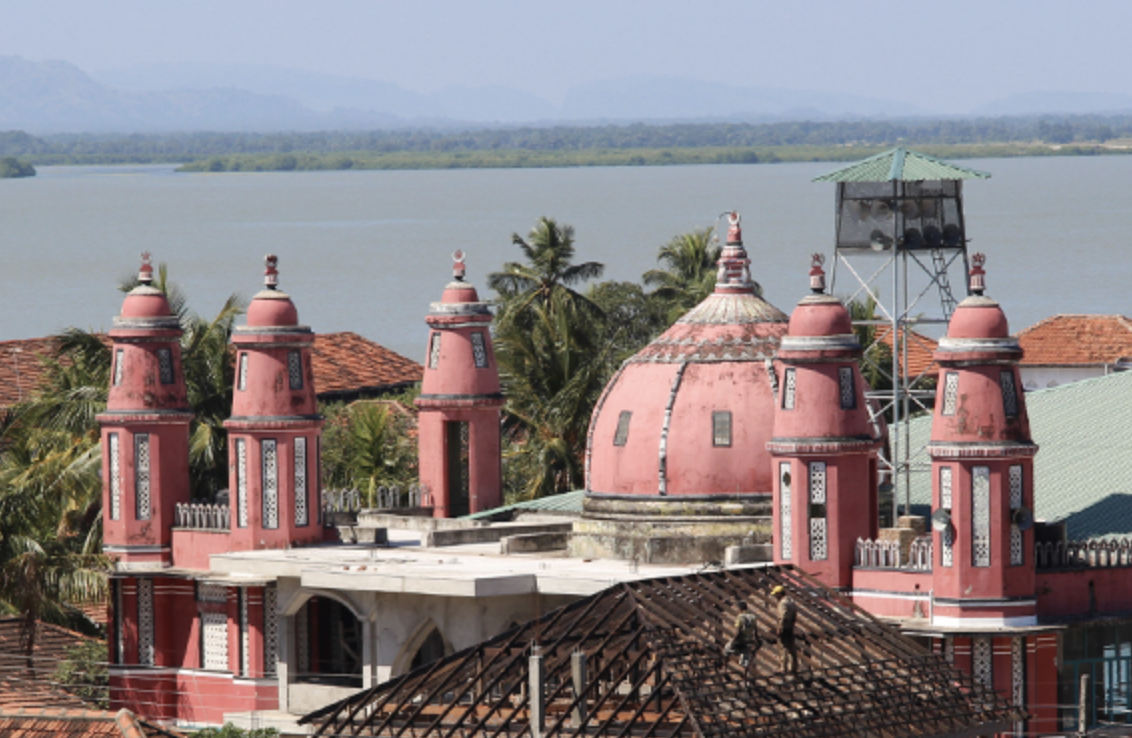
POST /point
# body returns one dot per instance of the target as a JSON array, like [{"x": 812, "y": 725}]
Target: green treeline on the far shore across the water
[{"x": 601, "y": 142}]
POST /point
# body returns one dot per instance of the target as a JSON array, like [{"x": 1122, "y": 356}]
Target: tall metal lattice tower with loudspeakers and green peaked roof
[{"x": 902, "y": 241}]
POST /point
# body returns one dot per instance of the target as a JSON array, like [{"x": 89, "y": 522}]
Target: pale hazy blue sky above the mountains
[{"x": 946, "y": 56}]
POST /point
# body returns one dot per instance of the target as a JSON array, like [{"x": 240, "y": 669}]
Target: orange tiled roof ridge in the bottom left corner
[{"x": 63, "y": 723}]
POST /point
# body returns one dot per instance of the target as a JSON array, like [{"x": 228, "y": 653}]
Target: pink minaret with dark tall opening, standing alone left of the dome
[{"x": 460, "y": 401}]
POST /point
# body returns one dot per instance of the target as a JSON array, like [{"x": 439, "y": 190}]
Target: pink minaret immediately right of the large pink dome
[{"x": 825, "y": 445}]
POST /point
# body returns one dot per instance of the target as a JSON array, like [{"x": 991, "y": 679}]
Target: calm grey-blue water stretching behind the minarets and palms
[{"x": 367, "y": 252}]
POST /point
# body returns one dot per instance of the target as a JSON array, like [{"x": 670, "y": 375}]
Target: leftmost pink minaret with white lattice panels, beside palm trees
[{"x": 145, "y": 431}]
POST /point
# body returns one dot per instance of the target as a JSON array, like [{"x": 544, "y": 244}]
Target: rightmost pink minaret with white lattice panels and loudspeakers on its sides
[{"x": 983, "y": 473}]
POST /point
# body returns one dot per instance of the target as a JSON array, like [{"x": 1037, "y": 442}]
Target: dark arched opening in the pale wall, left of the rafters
[{"x": 329, "y": 645}]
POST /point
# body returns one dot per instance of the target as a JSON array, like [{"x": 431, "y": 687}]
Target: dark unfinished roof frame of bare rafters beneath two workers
[{"x": 646, "y": 659}]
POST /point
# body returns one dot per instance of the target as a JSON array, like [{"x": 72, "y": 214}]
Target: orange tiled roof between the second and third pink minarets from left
[{"x": 347, "y": 364}]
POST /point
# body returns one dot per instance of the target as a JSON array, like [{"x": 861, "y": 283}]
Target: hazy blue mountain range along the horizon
[{"x": 57, "y": 97}]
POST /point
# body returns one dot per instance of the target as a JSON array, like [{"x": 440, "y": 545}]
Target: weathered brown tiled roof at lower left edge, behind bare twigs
[{"x": 21, "y": 688}]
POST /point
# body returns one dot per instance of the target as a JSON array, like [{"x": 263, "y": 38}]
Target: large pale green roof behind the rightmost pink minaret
[{"x": 1083, "y": 475}]
